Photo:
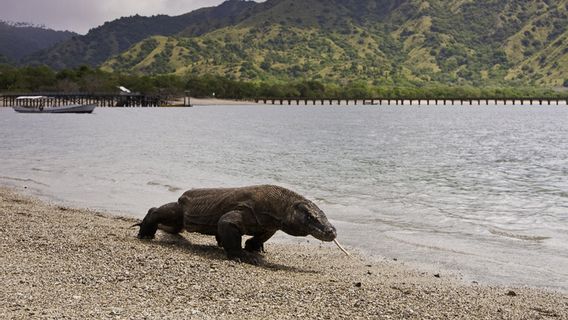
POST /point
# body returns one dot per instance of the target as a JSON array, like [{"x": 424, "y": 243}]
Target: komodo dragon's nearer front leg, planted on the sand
[{"x": 230, "y": 230}]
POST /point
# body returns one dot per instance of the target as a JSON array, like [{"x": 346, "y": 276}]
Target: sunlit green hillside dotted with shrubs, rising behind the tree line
[{"x": 469, "y": 42}]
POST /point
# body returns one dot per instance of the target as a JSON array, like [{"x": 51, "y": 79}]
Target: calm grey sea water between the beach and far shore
[{"x": 481, "y": 191}]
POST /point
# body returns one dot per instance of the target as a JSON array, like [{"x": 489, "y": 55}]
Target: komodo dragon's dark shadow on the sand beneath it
[{"x": 214, "y": 252}]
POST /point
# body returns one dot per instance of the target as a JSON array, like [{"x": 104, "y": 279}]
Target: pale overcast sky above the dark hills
[{"x": 81, "y": 15}]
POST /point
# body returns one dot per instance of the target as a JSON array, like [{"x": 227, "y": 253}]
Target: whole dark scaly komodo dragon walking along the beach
[{"x": 230, "y": 213}]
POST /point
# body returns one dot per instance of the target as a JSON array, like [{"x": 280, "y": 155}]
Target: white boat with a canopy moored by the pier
[{"x": 42, "y": 104}]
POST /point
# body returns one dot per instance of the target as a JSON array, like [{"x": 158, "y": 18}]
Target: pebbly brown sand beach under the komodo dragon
[{"x": 65, "y": 263}]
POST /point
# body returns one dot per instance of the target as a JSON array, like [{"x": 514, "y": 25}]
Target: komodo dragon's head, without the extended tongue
[{"x": 305, "y": 218}]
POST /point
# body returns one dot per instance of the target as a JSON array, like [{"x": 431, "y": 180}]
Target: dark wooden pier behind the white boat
[{"x": 101, "y": 100}]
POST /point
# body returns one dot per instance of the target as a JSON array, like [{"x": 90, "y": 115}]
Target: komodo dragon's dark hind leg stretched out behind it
[{"x": 168, "y": 218}]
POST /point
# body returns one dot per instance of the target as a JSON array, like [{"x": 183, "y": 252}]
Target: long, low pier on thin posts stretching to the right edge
[{"x": 414, "y": 102}]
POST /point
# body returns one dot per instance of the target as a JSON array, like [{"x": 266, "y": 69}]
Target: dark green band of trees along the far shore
[{"x": 91, "y": 80}]
